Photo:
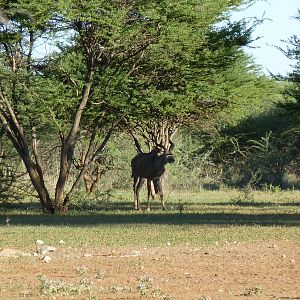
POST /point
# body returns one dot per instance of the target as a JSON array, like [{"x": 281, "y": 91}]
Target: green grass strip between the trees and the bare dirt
[{"x": 203, "y": 218}]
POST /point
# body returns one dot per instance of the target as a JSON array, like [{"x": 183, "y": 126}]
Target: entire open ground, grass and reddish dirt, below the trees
[{"x": 226, "y": 244}]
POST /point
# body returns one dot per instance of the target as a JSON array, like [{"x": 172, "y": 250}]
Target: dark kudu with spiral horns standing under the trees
[{"x": 150, "y": 166}]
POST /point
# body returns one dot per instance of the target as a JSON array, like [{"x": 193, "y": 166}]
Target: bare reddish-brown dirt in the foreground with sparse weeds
[{"x": 269, "y": 270}]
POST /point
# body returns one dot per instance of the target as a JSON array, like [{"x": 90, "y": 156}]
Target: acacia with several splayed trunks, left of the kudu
[{"x": 100, "y": 45}]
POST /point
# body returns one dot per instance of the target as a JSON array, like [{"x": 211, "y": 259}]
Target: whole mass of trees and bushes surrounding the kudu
[{"x": 66, "y": 116}]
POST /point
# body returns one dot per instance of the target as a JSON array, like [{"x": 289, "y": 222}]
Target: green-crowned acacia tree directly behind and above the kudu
[{"x": 191, "y": 74}]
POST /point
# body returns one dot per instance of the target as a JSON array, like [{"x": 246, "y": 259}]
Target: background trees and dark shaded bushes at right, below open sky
[{"x": 260, "y": 144}]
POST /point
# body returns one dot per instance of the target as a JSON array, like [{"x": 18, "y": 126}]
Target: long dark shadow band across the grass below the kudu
[{"x": 93, "y": 219}]
